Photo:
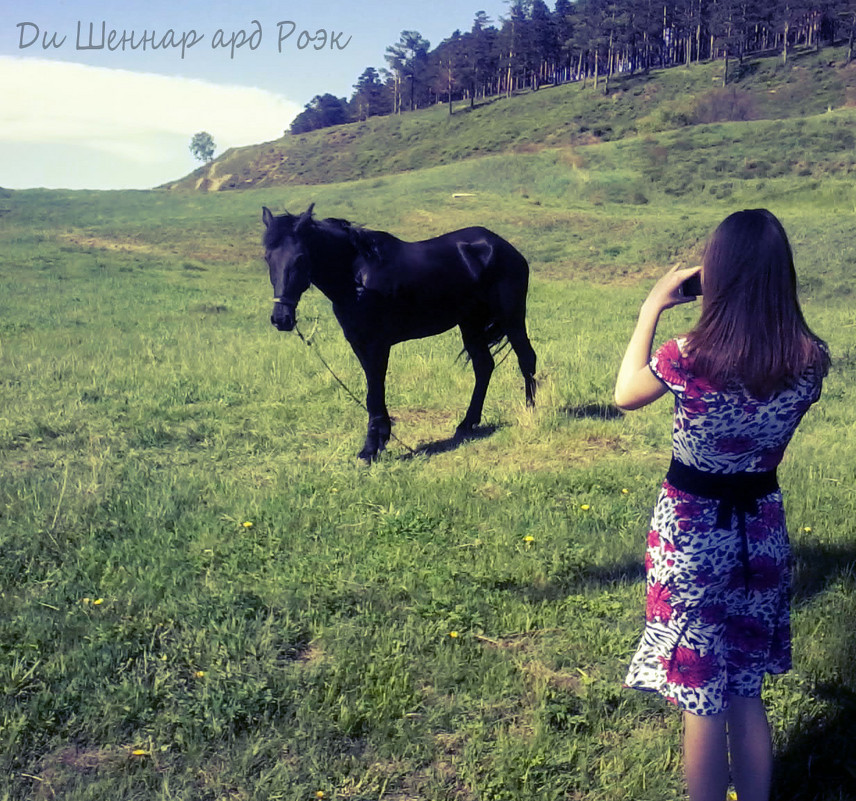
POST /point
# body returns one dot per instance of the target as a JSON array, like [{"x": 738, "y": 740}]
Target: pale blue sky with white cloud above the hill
[{"x": 98, "y": 95}]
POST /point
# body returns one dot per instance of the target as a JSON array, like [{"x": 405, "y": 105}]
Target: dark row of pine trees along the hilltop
[{"x": 586, "y": 40}]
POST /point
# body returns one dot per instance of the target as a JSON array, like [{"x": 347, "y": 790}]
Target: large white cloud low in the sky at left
[{"x": 127, "y": 115}]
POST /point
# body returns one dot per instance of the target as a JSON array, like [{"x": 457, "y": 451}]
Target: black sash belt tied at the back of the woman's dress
[{"x": 737, "y": 493}]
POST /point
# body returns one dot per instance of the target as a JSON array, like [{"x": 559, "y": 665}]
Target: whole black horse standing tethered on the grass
[{"x": 385, "y": 291}]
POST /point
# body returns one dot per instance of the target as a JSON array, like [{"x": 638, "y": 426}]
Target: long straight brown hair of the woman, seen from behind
[{"x": 752, "y": 328}]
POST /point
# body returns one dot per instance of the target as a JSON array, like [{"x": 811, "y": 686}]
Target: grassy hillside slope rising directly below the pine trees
[{"x": 567, "y": 115}]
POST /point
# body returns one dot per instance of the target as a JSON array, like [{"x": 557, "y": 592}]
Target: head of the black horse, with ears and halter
[{"x": 288, "y": 262}]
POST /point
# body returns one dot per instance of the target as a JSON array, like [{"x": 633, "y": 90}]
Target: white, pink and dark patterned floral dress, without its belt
[{"x": 718, "y": 599}]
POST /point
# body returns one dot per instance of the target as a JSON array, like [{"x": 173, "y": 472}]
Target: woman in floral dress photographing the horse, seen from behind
[{"x": 717, "y": 615}]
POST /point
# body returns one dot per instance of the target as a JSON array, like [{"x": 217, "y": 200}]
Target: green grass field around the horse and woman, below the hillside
[{"x": 206, "y": 596}]
